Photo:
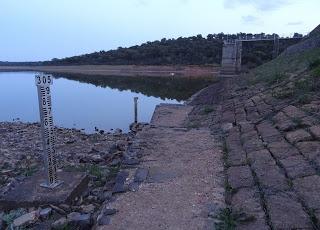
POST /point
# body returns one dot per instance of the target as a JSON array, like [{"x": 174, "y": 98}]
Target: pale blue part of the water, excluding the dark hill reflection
[{"x": 75, "y": 104}]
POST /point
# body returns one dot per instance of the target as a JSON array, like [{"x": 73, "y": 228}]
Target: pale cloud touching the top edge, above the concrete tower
[{"x": 262, "y": 5}]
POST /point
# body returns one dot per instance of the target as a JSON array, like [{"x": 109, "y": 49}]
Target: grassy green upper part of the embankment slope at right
[{"x": 295, "y": 73}]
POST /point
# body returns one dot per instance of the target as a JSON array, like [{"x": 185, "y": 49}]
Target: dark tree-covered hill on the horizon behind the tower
[{"x": 195, "y": 50}]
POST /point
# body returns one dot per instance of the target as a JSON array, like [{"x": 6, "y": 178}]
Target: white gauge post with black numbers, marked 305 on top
[{"x": 43, "y": 83}]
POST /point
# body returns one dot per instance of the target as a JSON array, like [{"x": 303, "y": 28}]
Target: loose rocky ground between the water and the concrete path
[{"x": 99, "y": 155}]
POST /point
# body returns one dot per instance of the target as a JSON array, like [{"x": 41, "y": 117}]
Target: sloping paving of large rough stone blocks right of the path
[{"x": 272, "y": 159}]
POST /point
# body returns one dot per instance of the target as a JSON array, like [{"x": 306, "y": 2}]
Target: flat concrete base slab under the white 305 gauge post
[{"x": 29, "y": 193}]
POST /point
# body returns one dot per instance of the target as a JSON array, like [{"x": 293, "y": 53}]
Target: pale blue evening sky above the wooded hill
[{"x": 38, "y": 30}]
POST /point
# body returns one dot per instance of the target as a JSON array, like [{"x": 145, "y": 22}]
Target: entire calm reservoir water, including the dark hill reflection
[{"x": 87, "y": 102}]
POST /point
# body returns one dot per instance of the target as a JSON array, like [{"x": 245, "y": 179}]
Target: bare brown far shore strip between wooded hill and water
[{"x": 122, "y": 70}]
